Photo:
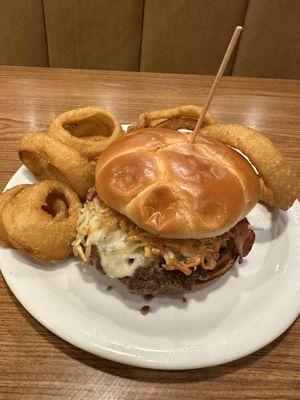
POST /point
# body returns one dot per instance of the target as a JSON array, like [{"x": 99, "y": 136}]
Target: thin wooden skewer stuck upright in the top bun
[{"x": 224, "y": 62}]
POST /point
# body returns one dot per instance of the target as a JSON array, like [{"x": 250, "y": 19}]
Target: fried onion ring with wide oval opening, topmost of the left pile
[{"x": 88, "y": 130}]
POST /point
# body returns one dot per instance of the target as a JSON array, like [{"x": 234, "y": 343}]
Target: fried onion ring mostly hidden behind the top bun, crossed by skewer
[{"x": 184, "y": 117}]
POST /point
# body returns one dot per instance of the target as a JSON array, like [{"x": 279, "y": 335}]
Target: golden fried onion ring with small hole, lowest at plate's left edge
[{"x": 30, "y": 227}]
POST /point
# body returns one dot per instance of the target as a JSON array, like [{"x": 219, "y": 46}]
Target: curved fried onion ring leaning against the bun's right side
[{"x": 280, "y": 186}]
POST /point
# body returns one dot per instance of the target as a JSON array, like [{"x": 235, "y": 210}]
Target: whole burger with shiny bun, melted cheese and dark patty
[{"x": 167, "y": 215}]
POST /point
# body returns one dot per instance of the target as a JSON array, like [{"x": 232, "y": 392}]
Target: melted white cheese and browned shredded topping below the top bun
[{"x": 123, "y": 247}]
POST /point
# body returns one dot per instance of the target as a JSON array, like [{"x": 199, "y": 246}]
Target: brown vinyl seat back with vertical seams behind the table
[{"x": 177, "y": 36}]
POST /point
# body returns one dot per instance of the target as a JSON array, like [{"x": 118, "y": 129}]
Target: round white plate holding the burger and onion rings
[{"x": 245, "y": 310}]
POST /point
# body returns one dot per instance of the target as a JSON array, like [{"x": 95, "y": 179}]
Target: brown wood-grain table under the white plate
[{"x": 35, "y": 364}]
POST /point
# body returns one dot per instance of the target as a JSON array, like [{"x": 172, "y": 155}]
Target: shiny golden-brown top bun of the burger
[{"x": 175, "y": 189}]
